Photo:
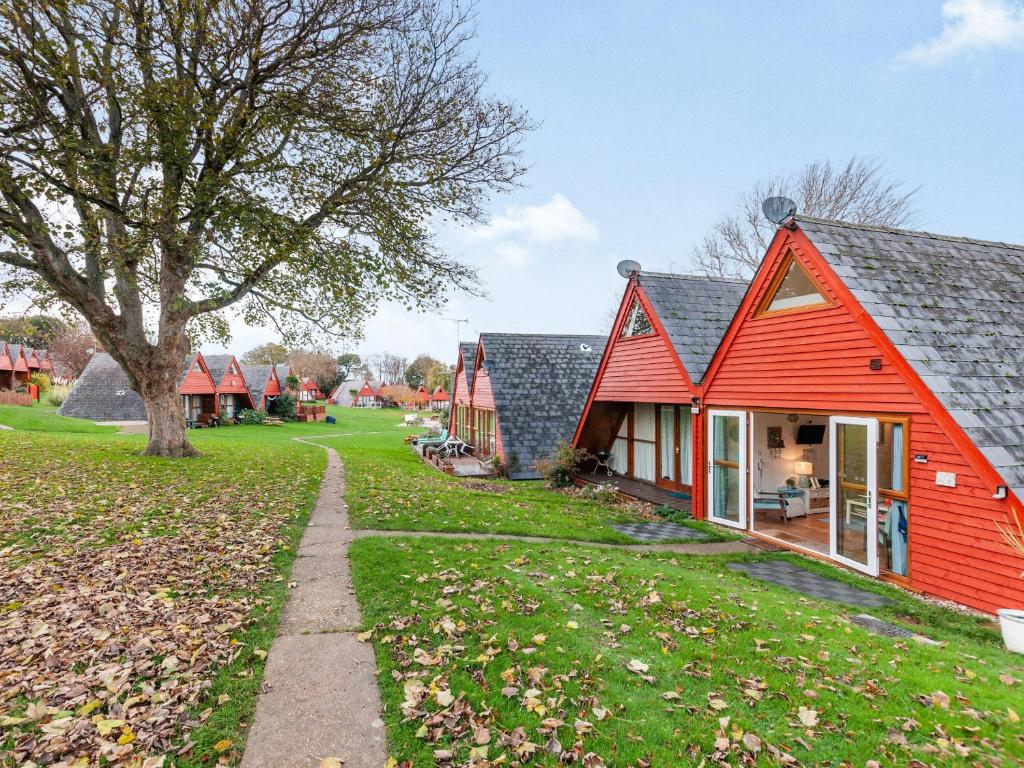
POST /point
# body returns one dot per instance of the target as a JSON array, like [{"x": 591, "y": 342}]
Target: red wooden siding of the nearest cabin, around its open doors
[{"x": 819, "y": 360}]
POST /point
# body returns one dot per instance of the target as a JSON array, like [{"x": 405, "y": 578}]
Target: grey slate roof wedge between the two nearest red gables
[{"x": 696, "y": 313}]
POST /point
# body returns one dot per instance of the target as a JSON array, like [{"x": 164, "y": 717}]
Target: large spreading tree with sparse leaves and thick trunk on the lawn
[{"x": 166, "y": 163}]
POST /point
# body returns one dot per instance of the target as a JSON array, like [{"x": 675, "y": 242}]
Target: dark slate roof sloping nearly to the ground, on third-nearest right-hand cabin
[{"x": 540, "y": 385}]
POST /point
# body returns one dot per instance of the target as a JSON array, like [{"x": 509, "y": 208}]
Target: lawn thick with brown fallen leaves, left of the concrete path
[{"x": 139, "y": 596}]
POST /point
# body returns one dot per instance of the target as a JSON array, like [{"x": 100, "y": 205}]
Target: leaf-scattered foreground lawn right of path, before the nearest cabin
[{"x": 558, "y": 655}]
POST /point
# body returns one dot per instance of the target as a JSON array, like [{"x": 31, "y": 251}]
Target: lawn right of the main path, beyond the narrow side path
[{"x": 391, "y": 489}]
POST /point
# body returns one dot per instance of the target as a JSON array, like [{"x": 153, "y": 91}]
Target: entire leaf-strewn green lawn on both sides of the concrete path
[{"x": 143, "y": 595}]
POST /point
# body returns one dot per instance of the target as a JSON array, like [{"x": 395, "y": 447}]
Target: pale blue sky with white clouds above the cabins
[{"x": 654, "y": 117}]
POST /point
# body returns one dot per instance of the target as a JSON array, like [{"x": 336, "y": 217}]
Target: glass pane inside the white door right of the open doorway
[{"x": 852, "y": 500}]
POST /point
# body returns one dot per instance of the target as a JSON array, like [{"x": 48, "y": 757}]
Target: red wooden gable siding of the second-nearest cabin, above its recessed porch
[{"x": 642, "y": 369}]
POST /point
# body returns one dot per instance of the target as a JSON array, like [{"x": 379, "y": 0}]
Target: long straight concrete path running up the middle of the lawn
[{"x": 320, "y": 697}]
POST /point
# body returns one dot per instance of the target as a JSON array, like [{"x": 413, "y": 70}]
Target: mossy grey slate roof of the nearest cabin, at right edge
[{"x": 955, "y": 310}]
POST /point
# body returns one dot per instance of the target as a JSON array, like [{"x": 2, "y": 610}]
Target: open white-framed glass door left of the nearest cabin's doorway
[{"x": 728, "y": 467}]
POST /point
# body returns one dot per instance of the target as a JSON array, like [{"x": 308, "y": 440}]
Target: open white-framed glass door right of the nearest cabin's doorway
[{"x": 854, "y": 514}]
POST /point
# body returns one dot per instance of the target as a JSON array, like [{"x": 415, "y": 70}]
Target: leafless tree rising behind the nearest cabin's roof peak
[{"x": 859, "y": 192}]
